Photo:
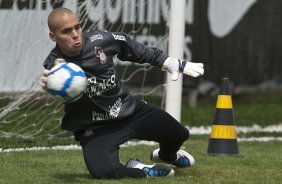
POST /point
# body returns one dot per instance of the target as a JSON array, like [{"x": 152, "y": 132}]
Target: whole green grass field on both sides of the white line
[{"x": 258, "y": 162}]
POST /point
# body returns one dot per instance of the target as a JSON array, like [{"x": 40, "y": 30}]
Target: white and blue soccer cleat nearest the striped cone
[{"x": 183, "y": 159}]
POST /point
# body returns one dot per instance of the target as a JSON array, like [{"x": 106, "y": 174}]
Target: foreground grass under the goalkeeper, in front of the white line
[{"x": 257, "y": 163}]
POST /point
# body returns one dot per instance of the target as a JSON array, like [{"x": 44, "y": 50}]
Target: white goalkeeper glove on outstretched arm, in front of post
[{"x": 174, "y": 66}]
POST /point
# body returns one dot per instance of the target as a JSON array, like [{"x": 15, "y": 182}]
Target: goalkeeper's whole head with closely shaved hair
[{"x": 65, "y": 30}]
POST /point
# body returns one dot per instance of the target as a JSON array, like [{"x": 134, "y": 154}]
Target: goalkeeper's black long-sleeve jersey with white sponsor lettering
[{"x": 106, "y": 98}]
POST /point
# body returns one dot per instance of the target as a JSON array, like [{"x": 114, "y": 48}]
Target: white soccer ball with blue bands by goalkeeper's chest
[{"x": 66, "y": 81}]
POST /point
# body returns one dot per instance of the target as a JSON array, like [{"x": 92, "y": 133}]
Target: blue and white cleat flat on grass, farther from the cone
[{"x": 150, "y": 170}]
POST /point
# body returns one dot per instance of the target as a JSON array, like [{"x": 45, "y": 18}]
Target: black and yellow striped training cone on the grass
[{"x": 223, "y": 137}]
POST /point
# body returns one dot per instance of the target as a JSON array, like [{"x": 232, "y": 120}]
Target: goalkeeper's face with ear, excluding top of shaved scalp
[{"x": 67, "y": 34}]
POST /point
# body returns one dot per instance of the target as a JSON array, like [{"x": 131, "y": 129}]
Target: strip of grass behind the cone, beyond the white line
[{"x": 245, "y": 114}]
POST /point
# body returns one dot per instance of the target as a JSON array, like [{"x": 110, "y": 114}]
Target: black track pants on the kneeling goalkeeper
[{"x": 101, "y": 147}]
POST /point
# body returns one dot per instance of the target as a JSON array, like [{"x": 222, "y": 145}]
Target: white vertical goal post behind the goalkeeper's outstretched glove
[{"x": 175, "y": 49}]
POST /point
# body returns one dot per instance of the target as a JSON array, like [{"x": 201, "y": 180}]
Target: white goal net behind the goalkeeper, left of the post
[{"x": 27, "y": 112}]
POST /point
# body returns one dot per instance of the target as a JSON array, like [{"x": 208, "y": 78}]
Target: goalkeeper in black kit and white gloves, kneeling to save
[{"x": 107, "y": 115}]
